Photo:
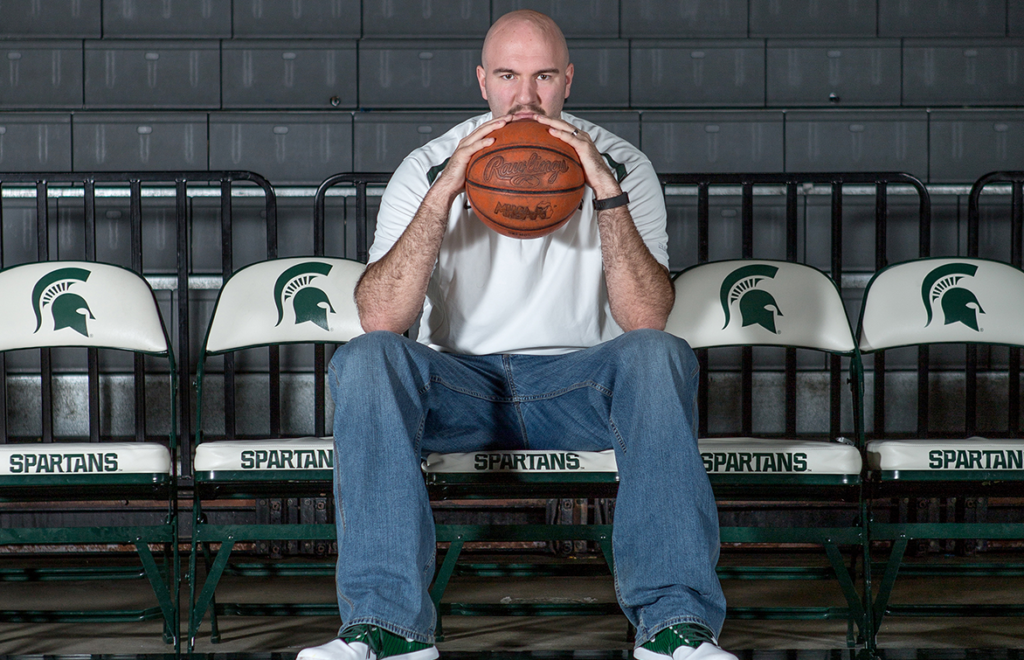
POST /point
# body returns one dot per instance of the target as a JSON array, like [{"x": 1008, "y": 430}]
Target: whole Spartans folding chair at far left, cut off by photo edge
[{"x": 51, "y": 306}]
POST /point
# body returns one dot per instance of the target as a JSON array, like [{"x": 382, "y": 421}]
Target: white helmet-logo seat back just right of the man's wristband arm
[{"x": 760, "y": 303}]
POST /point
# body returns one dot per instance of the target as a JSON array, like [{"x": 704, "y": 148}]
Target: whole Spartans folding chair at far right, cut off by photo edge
[{"x": 925, "y": 303}]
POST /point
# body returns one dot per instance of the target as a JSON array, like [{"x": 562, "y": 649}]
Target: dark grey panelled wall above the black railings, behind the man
[{"x": 301, "y": 90}]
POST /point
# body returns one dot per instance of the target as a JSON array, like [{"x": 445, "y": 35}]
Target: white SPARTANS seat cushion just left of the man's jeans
[{"x": 277, "y": 456}]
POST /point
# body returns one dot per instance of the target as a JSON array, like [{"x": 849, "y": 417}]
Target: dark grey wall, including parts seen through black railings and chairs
[{"x": 301, "y": 90}]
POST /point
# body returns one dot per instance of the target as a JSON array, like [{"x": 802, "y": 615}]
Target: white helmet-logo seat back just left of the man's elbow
[{"x": 287, "y": 301}]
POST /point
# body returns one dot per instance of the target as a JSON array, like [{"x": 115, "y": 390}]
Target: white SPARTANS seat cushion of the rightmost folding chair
[{"x": 954, "y": 456}]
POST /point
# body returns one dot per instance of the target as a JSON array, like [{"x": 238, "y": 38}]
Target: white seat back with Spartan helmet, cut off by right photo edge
[{"x": 931, "y": 301}]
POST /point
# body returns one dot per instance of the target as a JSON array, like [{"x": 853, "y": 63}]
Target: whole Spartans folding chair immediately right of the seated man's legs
[{"x": 814, "y": 460}]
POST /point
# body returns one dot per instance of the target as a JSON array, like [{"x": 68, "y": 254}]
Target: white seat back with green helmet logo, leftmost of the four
[{"x": 79, "y": 303}]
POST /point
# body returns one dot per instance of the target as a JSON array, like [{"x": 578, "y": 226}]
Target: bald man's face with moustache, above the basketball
[{"x": 525, "y": 71}]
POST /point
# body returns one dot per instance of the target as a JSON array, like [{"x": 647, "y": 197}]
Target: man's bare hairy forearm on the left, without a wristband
[{"x": 392, "y": 292}]
